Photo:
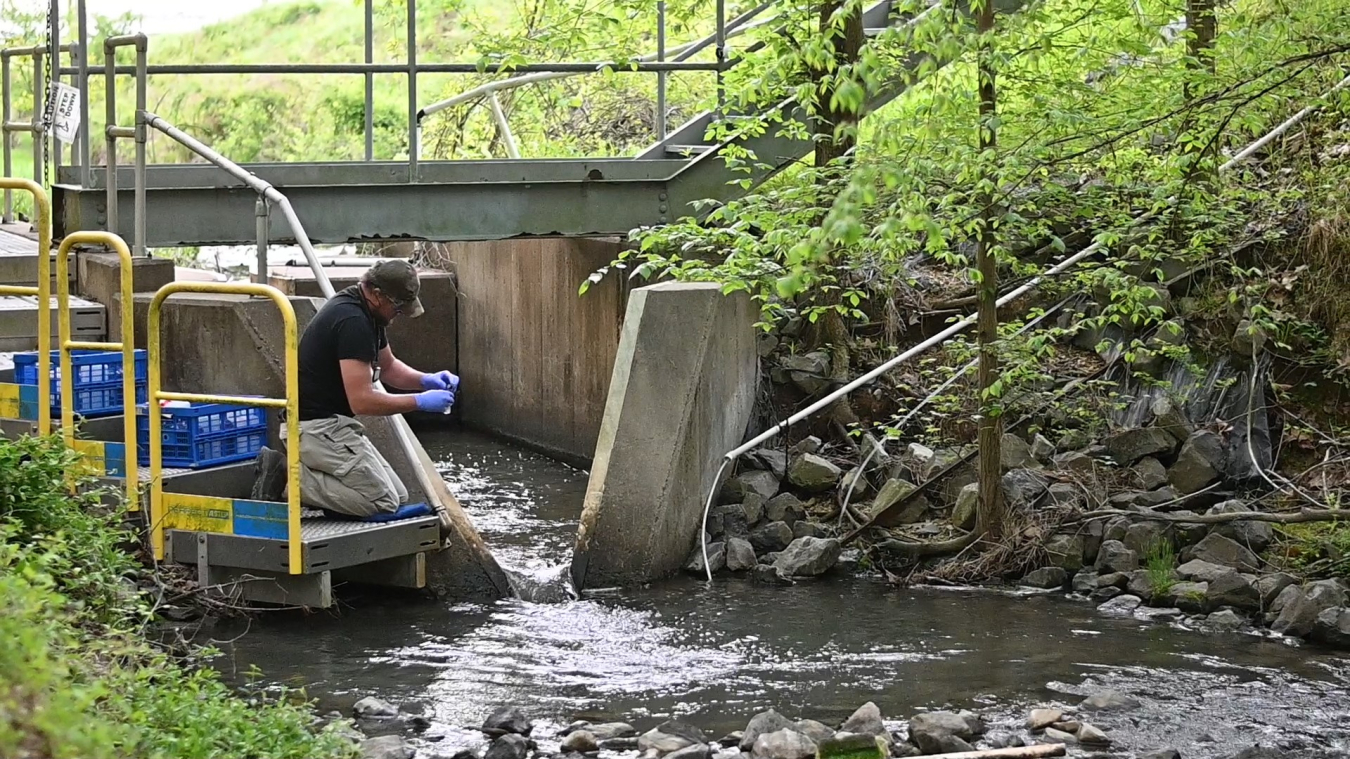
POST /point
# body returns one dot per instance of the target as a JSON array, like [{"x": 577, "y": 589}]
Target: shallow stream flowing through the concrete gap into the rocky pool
[{"x": 715, "y": 656}]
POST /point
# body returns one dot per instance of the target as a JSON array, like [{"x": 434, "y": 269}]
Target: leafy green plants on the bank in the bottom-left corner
[{"x": 78, "y": 679}]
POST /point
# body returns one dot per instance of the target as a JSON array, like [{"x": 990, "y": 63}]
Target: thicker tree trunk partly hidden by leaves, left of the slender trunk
[{"x": 831, "y": 145}]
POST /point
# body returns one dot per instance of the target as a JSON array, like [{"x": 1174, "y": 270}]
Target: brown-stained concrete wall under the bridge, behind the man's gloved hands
[{"x": 535, "y": 357}]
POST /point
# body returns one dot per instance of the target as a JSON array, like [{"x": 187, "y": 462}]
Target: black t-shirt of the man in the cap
[{"x": 342, "y": 330}]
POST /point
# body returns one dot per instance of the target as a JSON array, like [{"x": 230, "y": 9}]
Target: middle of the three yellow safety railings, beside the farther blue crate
[{"x": 126, "y": 346}]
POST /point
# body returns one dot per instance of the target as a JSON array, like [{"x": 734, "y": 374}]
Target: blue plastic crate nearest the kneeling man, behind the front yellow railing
[{"x": 205, "y": 436}]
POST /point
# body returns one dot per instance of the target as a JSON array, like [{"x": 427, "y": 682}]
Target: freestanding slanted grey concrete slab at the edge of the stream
[{"x": 681, "y": 396}]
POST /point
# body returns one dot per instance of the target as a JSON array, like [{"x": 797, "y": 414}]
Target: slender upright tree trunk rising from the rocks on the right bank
[{"x": 990, "y": 515}]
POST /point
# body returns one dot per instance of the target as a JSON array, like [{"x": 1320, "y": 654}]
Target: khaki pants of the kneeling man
[{"x": 342, "y": 472}]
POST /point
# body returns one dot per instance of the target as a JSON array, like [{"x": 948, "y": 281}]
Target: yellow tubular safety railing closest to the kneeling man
[{"x": 291, "y": 406}]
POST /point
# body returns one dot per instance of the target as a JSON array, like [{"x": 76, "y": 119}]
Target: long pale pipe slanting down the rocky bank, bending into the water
[{"x": 966, "y": 322}]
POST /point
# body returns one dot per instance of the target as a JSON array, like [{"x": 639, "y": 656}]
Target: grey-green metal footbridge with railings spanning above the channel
[{"x": 435, "y": 201}]
